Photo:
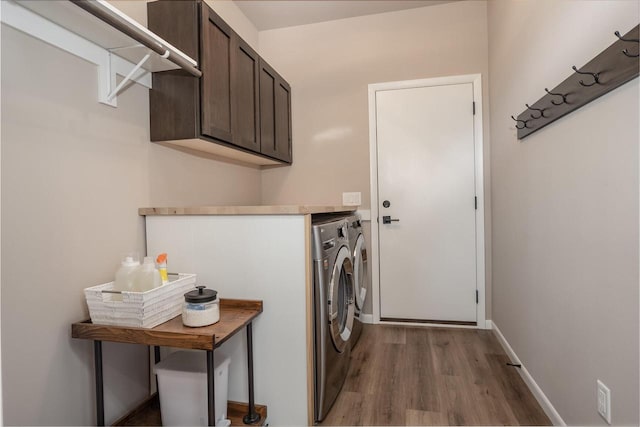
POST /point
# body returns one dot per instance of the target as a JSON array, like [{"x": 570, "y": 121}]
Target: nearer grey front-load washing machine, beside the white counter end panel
[{"x": 334, "y": 309}]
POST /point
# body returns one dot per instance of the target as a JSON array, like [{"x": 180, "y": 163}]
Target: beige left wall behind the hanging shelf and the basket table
[{"x": 74, "y": 173}]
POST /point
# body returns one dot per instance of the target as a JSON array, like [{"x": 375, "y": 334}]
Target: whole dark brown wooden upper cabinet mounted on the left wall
[{"x": 224, "y": 108}]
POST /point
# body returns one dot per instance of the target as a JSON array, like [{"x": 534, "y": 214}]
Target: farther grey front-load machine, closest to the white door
[{"x": 358, "y": 250}]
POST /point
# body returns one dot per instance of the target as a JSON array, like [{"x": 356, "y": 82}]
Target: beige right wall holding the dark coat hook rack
[{"x": 565, "y": 208}]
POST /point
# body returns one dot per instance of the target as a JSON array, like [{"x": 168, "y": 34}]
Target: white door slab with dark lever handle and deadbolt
[{"x": 426, "y": 176}]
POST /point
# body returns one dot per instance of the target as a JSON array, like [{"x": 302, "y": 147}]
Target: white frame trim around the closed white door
[{"x": 476, "y": 81}]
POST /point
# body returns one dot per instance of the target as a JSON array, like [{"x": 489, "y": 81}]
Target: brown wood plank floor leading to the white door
[{"x": 432, "y": 376}]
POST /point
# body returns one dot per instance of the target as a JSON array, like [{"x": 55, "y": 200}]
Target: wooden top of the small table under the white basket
[{"x": 234, "y": 315}]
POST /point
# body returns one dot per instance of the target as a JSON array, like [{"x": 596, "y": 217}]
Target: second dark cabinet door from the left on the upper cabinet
[{"x": 245, "y": 64}]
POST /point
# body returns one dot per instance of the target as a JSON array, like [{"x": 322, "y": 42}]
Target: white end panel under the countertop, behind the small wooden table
[{"x": 251, "y": 257}]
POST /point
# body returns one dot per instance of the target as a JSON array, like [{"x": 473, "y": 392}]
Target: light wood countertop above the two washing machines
[{"x": 245, "y": 210}]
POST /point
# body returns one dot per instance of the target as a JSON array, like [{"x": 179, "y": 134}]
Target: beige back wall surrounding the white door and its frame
[{"x": 330, "y": 65}]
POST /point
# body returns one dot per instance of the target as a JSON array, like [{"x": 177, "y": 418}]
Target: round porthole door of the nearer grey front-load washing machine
[{"x": 341, "y": 290}]
